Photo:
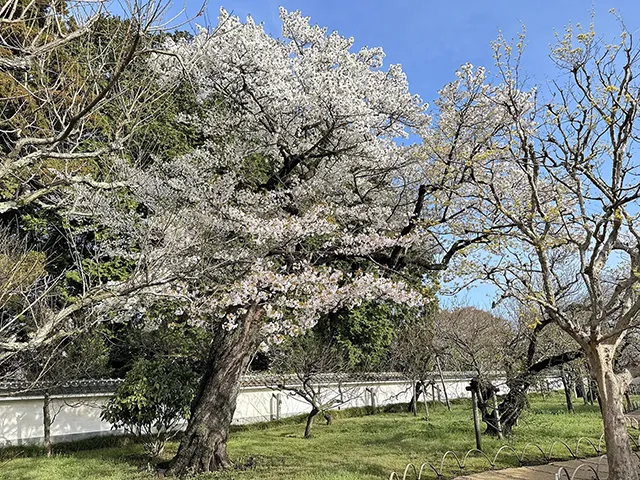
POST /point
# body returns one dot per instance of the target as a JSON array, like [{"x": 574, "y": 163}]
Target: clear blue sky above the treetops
[{"x": 431, "y": 39}]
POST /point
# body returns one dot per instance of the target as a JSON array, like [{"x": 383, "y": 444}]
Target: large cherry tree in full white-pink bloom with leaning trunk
[{"x": 298, "y": 202}]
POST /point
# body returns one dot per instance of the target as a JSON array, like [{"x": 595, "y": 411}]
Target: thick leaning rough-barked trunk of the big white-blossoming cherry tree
[{"x": 203, "y": 447}]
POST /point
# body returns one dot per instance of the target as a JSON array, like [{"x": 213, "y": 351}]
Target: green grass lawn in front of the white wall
[{"x": 357, "y": 448}]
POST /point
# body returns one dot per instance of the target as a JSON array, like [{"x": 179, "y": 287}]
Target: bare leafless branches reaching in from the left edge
[{"x": 72, "y": 104}]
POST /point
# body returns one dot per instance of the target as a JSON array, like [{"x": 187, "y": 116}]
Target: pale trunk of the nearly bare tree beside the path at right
[{"x": 611, "y": 388}]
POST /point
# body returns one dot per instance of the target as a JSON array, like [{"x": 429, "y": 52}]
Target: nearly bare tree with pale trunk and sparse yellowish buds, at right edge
[{"x": 560, "y": 171}]
